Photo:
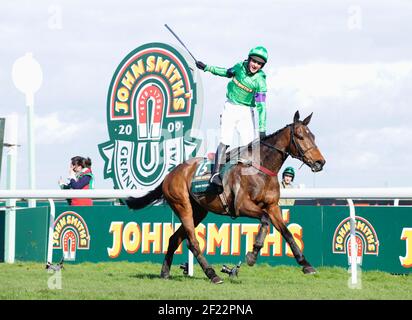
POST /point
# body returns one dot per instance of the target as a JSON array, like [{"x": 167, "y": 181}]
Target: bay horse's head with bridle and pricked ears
[{"x": 302, "y": 144}]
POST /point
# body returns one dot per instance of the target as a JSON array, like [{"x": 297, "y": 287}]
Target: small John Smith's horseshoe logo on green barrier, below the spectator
[{"x": 70, "y": 233}]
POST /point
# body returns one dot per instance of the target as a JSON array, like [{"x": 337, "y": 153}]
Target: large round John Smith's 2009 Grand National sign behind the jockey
[{"x": 151, "y": 108}]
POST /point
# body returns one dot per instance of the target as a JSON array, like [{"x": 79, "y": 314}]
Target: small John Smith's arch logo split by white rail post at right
[{"x": 366, "y": 239}]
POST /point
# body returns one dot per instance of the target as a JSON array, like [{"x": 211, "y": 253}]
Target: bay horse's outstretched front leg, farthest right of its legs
[{"x": 275, "y": 216}]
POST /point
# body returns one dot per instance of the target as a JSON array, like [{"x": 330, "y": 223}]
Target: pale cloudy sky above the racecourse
[{"x": 348, "y": 62}]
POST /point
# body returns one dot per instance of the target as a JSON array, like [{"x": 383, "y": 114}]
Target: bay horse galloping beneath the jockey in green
[{"x": 251, "y": 189}]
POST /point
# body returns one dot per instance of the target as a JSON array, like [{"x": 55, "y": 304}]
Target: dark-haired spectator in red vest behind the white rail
[{"x": 80, "y": 177}]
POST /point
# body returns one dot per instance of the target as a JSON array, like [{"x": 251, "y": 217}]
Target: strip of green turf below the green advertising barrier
[{"x": 124, "y": 280}]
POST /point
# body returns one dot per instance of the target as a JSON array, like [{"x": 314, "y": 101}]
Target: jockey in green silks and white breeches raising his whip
[{"x": 246, "y": 91}]
